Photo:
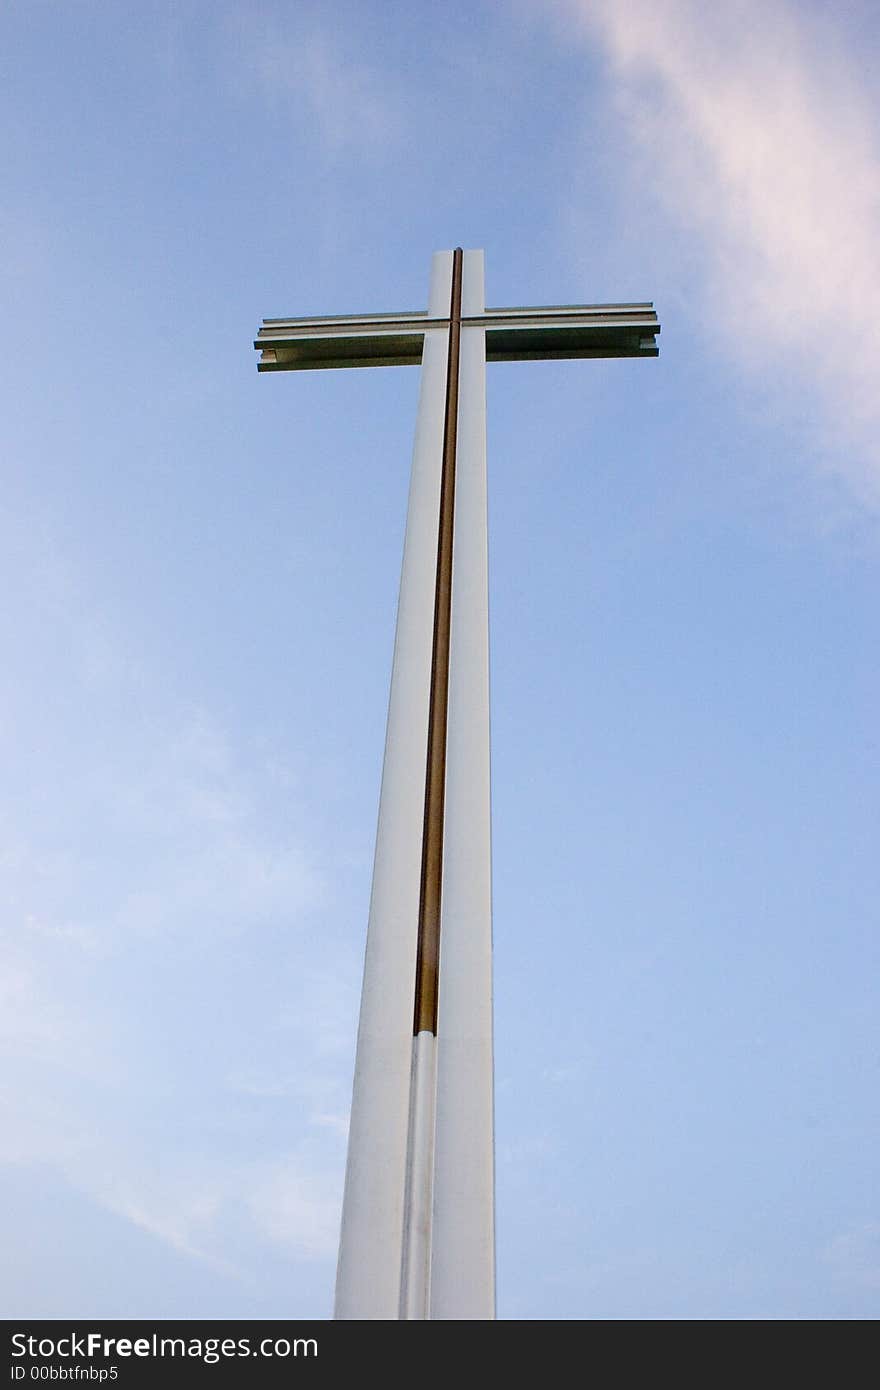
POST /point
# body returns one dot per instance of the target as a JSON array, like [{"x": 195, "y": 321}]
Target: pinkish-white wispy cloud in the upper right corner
[{"x": 758, "y": 134}]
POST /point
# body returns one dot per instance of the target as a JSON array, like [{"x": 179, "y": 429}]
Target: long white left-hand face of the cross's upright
[{"x": 370, "y": 1242}]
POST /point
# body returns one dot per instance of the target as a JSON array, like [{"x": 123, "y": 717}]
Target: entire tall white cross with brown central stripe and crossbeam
[{"x": 418, "y": 1236}]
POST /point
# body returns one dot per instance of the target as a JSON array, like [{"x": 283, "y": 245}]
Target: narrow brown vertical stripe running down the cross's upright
[{"x": 427, "y": 964}]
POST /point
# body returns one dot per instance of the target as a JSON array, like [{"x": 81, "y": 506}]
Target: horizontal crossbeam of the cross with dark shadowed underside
[{"x": 511, "y": 336}]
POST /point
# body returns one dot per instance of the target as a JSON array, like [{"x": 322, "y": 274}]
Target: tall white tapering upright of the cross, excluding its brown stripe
[{"x": 418, "y": 1218}]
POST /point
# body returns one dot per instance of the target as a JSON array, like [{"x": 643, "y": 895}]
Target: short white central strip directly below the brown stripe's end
[{"x": 416, "y": 1270}]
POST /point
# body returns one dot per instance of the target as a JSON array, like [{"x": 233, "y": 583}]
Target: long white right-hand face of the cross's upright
[{"x": 464, "y": 1231}]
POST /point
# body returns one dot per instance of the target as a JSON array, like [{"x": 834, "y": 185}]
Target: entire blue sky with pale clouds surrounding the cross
[{"x": 201, "y": 572}]
